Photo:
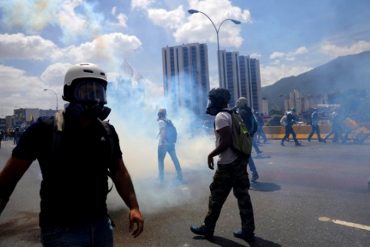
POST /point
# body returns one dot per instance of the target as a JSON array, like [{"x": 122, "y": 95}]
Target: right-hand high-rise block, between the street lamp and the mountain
[{"x": 241, "y": 75}]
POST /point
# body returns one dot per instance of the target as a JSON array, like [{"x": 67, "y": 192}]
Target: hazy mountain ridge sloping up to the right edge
[{"x": 338, "y": 75}]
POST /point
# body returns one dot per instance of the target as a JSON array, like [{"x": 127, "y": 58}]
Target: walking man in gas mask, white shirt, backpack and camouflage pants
[{"x": 231, "y": 170}]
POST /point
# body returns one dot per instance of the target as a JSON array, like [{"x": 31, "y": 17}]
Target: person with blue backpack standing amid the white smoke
[{"x": 167, "y": 141}]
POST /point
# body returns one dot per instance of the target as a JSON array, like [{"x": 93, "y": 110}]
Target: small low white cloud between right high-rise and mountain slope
[{"x": 272, "y": 73}]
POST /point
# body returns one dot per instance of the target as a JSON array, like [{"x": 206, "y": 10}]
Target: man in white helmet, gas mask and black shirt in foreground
[{"x": 77, "y": 152}]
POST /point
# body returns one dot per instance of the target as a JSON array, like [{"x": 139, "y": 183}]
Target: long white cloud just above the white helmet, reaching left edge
[{"x": 108, "y": 48}]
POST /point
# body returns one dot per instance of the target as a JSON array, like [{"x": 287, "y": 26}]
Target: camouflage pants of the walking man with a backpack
[{"x": 231, "y": 176}]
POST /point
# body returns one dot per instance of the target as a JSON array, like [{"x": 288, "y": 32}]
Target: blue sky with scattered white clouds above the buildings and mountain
[{"x": 40, "y": 39}]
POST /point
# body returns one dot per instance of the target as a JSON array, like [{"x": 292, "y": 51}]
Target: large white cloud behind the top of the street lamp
[{"x": 197, "y": 28}]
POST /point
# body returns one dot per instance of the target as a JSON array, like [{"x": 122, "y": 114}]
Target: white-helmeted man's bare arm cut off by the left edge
[{"x": 9, "y": 177}]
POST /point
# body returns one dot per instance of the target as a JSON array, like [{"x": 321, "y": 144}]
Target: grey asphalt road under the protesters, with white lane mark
[{"x": 314, "y": 195}]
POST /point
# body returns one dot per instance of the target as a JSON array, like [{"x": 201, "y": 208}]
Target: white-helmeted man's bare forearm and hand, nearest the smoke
[{"x": 125, "y": 189}]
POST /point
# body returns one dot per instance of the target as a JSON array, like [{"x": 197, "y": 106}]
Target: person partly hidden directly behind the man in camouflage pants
[{"x": 251, "y": 123}]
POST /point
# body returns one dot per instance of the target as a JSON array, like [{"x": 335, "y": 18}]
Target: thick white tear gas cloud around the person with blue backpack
[{"x": 134, "y": 115}]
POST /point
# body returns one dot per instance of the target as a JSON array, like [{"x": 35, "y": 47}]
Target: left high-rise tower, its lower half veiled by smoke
[{"x": 186, "y": 76}]
